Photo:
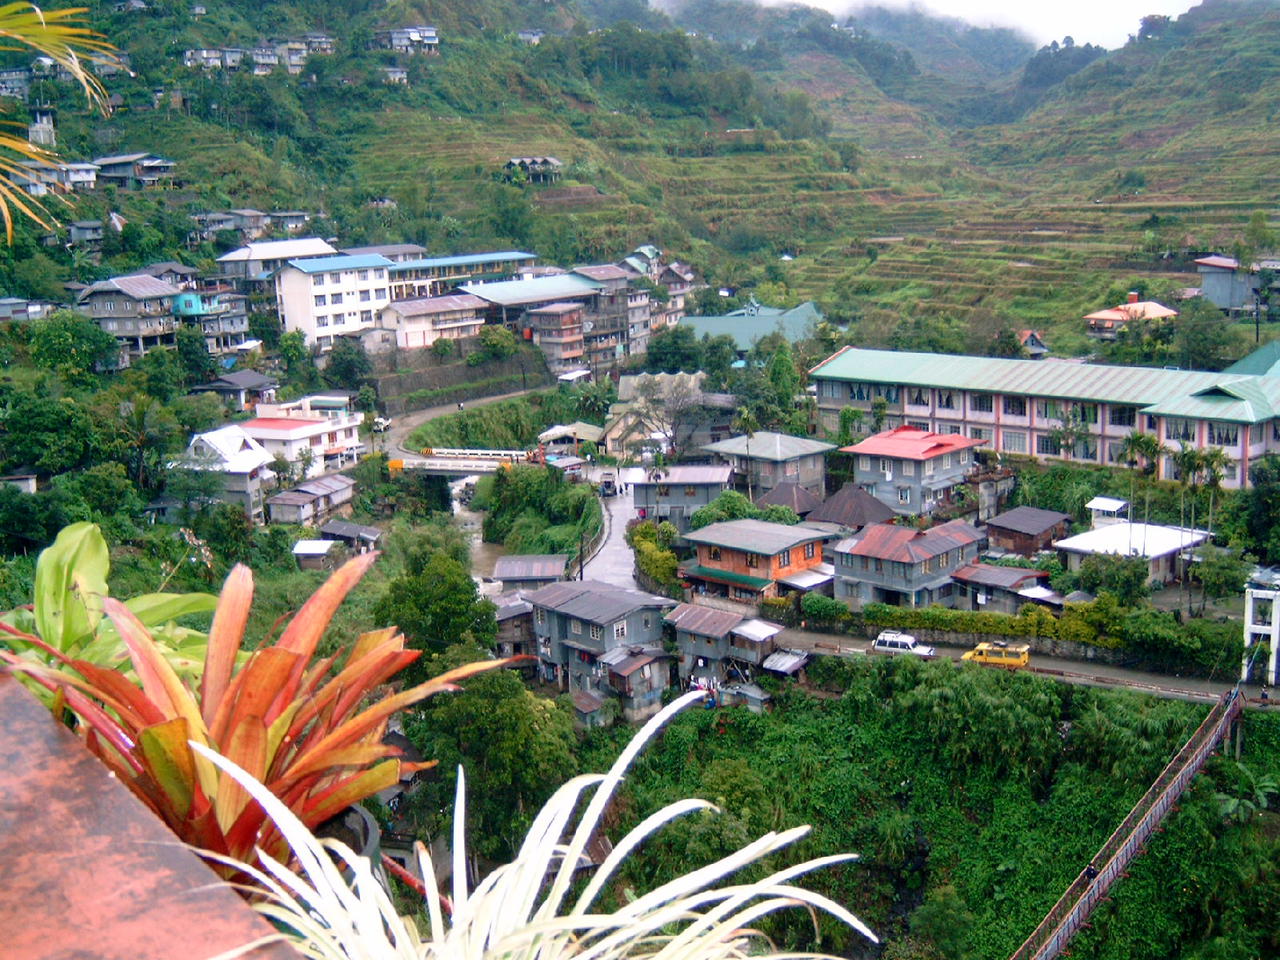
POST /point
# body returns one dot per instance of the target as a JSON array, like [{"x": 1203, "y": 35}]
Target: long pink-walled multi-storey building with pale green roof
[{"x": 1028, "y": 406}]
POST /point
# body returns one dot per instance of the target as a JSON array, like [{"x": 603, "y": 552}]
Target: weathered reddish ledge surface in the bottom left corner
[{"x": 89, "y": 870}]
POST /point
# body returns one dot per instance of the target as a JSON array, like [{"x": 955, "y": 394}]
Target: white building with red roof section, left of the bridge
[{"x": 318, "y": 433}]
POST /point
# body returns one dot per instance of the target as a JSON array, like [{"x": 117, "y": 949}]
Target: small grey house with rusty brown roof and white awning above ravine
[{"x": 720, "y": 647}]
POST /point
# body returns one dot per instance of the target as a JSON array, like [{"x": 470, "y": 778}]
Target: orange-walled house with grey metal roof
[{"x": 753, "y": 560}]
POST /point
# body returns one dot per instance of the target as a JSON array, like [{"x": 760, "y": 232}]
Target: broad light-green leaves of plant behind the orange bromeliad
[{"x": 67, "y": 610}]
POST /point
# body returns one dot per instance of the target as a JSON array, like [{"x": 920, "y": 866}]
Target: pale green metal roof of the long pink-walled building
[{"x": 1137, "y": 386}]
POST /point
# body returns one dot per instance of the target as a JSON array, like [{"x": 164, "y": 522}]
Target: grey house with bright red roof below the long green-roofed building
[{"x": 911, "y": 469}]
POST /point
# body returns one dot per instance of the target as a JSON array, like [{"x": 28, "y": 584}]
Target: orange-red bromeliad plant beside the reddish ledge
[{"x": 299, "y": 725}]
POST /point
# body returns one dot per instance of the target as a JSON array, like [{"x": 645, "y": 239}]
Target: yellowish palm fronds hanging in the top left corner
[{"x": 60, "y": 36}]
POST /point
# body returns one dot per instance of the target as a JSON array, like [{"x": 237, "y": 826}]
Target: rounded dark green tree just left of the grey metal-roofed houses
[{"x": 438, "y": 607}]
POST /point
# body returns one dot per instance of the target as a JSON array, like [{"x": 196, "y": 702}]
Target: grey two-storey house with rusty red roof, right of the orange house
[{"x": 904, "y": 566}]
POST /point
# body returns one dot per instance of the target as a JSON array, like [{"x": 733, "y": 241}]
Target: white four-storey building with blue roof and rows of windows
[{"x": 332, "y": 296}]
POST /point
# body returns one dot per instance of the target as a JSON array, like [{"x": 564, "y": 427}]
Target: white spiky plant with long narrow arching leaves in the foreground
[{"x": 527, "y": 909}]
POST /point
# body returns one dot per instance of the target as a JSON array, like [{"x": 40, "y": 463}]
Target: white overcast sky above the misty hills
[{"x": 1107, "y": 22}]
